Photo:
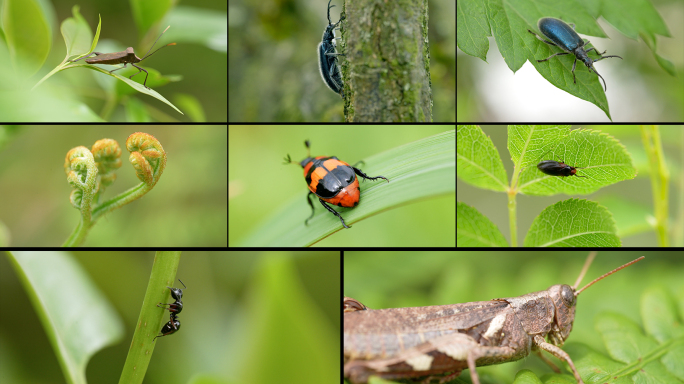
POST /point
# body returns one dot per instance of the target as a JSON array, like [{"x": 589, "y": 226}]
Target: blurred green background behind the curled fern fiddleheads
[{"x": 187, "y": 207}]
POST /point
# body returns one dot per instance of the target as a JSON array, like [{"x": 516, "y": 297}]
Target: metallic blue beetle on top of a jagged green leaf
[{"x": 565, "y": 38}]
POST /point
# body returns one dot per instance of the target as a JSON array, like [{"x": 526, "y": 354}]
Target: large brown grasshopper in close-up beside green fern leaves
[{"x": 438, "y": 342}]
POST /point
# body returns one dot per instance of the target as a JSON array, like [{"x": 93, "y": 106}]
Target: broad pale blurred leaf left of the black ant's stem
[{"x": 77, "y": 317}]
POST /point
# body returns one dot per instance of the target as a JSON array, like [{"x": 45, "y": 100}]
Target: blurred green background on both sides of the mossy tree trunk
[{"x": 273, "y": 67}]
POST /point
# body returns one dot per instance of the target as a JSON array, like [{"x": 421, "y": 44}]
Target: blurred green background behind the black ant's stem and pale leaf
[{"x": 248, "y": 317}]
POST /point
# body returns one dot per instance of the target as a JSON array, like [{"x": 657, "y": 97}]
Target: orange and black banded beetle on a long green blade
[{"x": 332, "y": 180}]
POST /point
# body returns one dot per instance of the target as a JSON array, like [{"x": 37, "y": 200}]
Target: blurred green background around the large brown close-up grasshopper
[{"x": 438, "y": 278}]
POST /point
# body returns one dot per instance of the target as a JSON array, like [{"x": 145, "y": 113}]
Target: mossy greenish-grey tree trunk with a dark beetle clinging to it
[{"x": 386, "y": 70}]
